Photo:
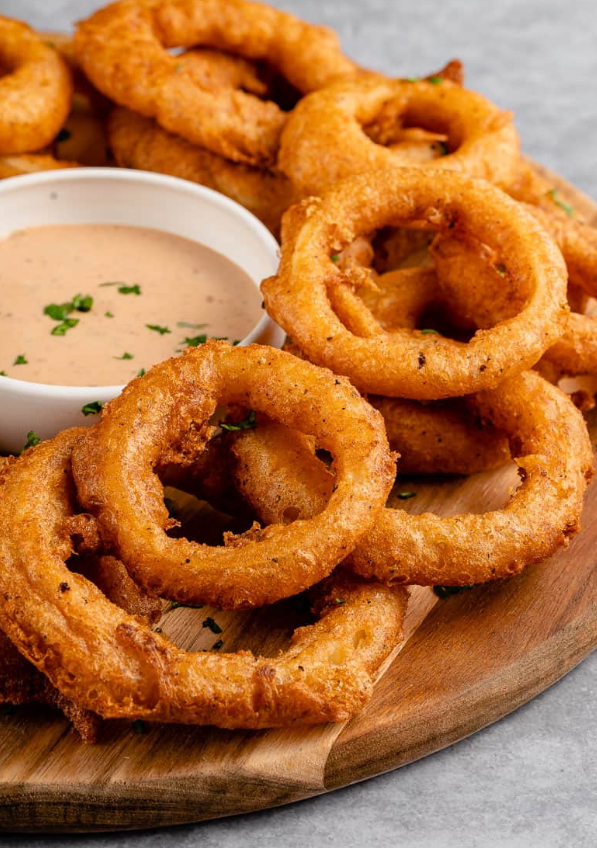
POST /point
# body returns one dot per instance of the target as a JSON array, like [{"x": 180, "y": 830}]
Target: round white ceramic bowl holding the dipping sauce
[{"x": 138, "y": 198}]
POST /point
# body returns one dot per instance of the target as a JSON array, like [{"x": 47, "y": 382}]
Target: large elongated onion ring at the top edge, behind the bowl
[{"x": 123, "y": 49}]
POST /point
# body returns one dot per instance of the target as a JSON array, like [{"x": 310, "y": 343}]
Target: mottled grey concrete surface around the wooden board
[{"x": 529, "y": 781}]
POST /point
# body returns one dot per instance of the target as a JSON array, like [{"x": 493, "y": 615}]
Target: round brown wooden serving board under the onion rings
[{"x": 466, "y": 661}]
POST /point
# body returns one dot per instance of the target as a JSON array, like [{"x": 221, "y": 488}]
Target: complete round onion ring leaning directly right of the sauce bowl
[{"x": 408, "y": 363}]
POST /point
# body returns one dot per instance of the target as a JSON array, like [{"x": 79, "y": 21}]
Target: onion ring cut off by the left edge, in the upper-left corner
[{"x": 36, "y": 92}]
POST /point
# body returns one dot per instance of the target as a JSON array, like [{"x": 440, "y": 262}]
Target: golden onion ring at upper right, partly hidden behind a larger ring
[{"x": 482, "y": 141}]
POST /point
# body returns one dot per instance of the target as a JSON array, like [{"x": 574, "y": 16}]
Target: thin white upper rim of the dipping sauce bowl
[{"x": 47, "y": 390}]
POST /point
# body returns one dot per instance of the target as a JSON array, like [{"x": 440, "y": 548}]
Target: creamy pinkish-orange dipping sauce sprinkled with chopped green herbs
[{"x": 120, "y": 299}]
